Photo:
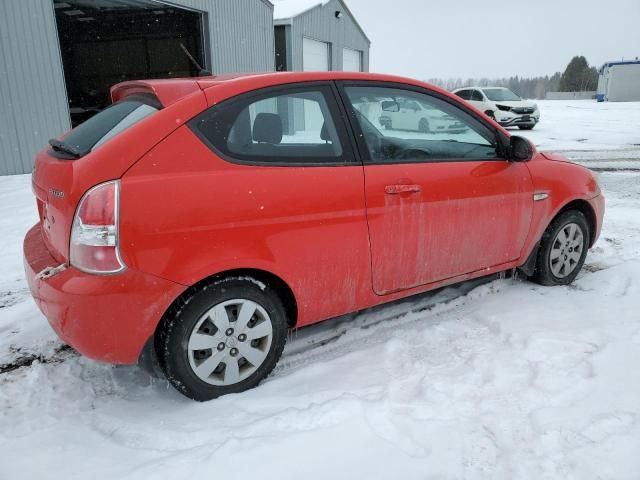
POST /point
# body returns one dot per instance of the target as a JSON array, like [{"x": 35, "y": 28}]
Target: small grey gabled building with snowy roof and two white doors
[{"x": 329, "y": 22}]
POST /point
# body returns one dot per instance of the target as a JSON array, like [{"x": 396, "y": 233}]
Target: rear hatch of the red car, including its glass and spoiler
[{"x": 104, "y": 147}]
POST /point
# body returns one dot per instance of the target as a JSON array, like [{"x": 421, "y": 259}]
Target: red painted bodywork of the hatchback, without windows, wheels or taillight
[{"x": 331, "y": 234}]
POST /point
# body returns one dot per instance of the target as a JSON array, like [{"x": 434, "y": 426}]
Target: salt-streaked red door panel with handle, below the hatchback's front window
[{"x": 465, "y": 216}]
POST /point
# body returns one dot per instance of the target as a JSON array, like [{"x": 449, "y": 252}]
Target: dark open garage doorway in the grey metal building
[{"x": 104, "y": 42}]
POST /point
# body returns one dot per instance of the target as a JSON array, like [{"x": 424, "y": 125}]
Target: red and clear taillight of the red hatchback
[{"x": 94, "y": 234}]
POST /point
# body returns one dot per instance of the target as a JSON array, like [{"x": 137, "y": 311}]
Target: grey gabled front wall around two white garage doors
[{"x": 321, "y": 24}]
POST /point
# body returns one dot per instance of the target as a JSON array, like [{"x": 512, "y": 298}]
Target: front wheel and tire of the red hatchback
[{"x": 558, "y": 246}]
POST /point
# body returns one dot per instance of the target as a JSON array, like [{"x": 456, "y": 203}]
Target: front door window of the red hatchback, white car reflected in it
[{"x": 436, "y": 131}]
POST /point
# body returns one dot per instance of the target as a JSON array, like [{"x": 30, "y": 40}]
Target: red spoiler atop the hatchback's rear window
[{"x": 167, "y": 91}]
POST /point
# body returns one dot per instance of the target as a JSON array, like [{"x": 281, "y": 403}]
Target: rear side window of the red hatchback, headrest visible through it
[{"x": 294, "y": 126}]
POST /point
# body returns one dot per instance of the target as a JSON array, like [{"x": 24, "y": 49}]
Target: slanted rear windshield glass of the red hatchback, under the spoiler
[{"x": 107, "y": 124}]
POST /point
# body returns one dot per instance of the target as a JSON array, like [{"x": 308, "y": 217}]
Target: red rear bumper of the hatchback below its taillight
[{"x": 104, "y": 317}]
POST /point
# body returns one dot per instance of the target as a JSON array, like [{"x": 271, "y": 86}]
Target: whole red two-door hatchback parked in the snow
[{"x": 197, "y": 220}]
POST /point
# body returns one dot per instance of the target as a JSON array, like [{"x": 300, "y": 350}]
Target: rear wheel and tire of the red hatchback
[{"x": 208, "y": 318}]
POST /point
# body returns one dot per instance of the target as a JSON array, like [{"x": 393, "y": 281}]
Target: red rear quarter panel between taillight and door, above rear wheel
[{"x": 246, "y": 219}]
